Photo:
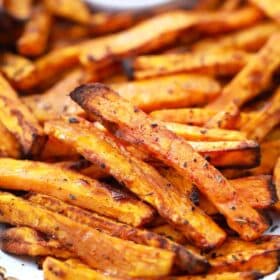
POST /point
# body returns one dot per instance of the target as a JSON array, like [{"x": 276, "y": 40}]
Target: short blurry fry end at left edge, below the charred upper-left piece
[{"x": 11, "y": 65}]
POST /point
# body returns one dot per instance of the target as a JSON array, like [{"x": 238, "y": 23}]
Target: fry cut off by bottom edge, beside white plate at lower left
[{"x": 58, "y": 270}]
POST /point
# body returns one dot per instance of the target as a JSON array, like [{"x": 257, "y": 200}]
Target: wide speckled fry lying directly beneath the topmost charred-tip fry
[{"x": 102, "y": 148}]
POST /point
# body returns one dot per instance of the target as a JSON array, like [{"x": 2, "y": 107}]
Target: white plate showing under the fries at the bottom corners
[{"x": 26, "y": 269}]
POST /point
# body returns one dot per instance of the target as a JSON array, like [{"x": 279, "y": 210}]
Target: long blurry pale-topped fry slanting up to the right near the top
[{"x": 138, "y": 39}]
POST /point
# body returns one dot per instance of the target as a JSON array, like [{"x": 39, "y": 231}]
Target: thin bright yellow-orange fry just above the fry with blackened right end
[{"x": 195, "y": 133}]
